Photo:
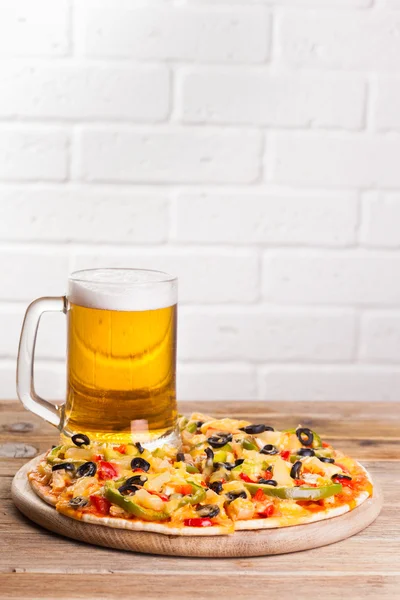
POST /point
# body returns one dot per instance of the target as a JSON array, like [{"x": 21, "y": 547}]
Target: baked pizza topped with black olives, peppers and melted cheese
[{"x": 228, "y": 475}]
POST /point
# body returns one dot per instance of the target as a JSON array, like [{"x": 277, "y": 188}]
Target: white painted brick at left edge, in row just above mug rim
[{"x": 82, "y": 214}]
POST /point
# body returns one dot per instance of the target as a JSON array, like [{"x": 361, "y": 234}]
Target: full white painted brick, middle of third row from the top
[{"x": 170, "y": 155}]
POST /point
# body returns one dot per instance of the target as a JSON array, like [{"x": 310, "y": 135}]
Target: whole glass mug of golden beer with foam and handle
[{"x": 121, "y": 358}]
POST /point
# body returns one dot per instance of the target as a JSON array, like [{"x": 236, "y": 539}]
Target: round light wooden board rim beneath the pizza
[{"x": 242, "y": 543}]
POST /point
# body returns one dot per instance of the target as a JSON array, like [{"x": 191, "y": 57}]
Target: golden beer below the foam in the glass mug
[{"x": 121, "y": 373}]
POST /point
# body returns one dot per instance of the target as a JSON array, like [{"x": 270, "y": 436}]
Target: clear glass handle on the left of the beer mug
[{"x": 26, "y": 353}]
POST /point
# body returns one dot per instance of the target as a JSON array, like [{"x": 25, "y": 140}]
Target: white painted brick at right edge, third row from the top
[{"x": 334, "y": 160}]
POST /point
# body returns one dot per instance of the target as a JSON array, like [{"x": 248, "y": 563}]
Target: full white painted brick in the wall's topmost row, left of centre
[{"x": 174, "y": 32}]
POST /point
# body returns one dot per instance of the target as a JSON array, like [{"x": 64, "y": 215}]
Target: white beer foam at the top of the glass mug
[{"x": 123, "y": 289}]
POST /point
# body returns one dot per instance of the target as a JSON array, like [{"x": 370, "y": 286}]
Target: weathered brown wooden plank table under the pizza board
[{"x": 37, "y": 564}]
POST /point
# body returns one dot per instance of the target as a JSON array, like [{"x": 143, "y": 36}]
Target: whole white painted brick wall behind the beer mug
[{"x": 252, "y": 147}]
